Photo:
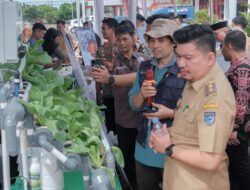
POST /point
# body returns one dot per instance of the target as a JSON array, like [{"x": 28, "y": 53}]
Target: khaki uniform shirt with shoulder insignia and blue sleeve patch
[{"x": 203, "y": 121}]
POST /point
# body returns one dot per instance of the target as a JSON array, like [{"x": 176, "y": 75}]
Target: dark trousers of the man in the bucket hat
[{"x": 148, "y": 178}]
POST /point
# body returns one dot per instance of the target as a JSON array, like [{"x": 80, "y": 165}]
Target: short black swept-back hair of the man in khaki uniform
[{"x": 202, "y": 35}]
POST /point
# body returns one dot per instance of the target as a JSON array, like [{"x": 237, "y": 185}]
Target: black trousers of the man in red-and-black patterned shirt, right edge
[{"x": 239, "y": 166}]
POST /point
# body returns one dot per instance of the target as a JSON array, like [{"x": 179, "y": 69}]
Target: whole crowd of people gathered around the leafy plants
[{"x": 195, "y": 78}]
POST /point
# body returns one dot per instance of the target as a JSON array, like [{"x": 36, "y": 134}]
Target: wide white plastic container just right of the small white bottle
[{"x": 51, "y": 176}]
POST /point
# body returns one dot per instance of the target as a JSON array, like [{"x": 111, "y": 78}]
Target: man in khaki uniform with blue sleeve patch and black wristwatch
[{"x": 195, "y": 145}]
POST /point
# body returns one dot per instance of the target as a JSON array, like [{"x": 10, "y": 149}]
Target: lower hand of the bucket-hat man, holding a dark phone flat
[{"x": 162, "y": 113}]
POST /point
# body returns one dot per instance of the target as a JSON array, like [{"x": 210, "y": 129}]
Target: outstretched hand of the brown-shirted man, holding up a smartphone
[{"x": 100, "y": 74}]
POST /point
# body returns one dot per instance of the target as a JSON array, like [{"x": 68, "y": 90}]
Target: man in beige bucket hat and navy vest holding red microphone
[{"x": 166, "y": 88}]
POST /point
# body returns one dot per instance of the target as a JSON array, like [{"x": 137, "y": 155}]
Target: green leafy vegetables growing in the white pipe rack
[{"x": 68, "y": 115}]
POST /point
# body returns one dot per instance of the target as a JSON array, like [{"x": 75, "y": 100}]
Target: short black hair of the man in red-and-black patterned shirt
[{"x": 237, "y": 39}]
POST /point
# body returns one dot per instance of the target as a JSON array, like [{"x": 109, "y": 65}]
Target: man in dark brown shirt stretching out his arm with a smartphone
[{"x": 126, "y": 63}]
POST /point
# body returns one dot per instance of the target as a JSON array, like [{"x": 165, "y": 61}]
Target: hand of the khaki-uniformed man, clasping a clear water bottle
[{"x": 160, "y": 143}]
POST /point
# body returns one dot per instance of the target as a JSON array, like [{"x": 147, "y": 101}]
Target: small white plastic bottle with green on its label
[{"x": 34, "y": 172}]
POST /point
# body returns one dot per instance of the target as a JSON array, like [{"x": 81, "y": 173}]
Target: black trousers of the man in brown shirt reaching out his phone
[{"x": 126, "y": 142}]
